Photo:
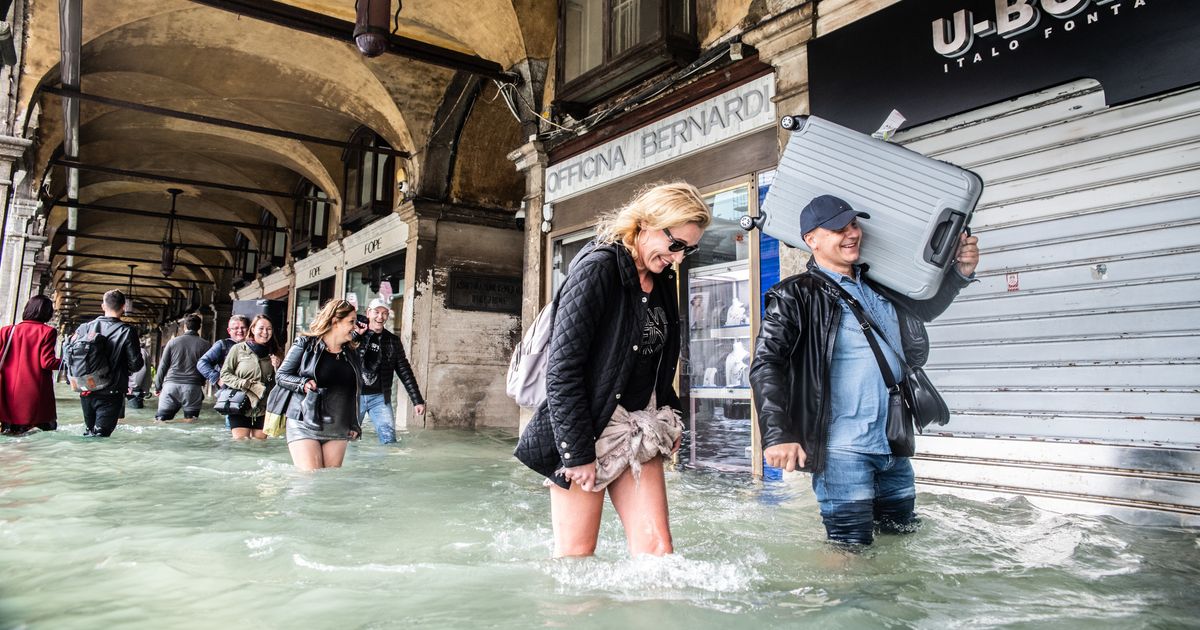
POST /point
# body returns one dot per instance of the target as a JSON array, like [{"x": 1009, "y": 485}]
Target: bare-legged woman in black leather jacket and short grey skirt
[{"x": 325, "y": 373}]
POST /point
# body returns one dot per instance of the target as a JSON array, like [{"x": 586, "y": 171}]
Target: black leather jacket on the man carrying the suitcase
[{"x": 790, "y": 373}]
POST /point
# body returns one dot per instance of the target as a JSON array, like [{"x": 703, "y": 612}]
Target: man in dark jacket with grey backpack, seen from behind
[{"x": 104, "y": 406}]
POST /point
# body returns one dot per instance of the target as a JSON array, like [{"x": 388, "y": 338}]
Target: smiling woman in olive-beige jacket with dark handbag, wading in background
[{"x": 250, "y": 368}]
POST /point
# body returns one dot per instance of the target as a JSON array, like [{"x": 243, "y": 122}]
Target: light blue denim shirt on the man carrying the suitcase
[{"x": 859, "y": 395}]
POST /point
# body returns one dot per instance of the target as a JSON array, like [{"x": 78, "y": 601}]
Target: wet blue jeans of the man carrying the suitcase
[{"x": 860, "y": 491}]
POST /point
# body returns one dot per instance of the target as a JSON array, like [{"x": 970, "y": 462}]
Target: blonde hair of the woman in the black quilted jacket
[{"x": 655, "y": 207}]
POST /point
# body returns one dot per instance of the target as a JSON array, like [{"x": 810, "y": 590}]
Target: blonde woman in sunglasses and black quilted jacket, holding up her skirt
[{"x": 611, "y": 413}]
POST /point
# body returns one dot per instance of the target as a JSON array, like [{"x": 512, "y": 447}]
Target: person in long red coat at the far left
[{"x": 27, "y": 363}]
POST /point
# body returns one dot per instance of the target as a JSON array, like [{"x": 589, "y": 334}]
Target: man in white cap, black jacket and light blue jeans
[{"x": 383, "y": 356}]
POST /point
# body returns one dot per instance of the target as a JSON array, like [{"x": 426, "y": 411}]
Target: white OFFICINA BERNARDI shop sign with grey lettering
[{"x": 719, "y": 119}]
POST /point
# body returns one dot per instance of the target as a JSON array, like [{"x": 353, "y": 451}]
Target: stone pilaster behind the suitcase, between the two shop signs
[{"x": 783, "y": 43}]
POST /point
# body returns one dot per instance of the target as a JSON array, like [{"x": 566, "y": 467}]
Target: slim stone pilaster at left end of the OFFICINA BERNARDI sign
[{"x": 531, "y": 159}]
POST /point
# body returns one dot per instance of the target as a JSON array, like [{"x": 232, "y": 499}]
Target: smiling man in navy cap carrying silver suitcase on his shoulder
[{"x": 819, "y": 389}]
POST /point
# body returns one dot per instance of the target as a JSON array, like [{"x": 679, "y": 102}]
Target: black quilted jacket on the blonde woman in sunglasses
[{"x": 598, "y": 325}]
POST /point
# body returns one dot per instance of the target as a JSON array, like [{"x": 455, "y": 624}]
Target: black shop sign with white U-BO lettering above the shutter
[{"x": 931, "y": 59}]
